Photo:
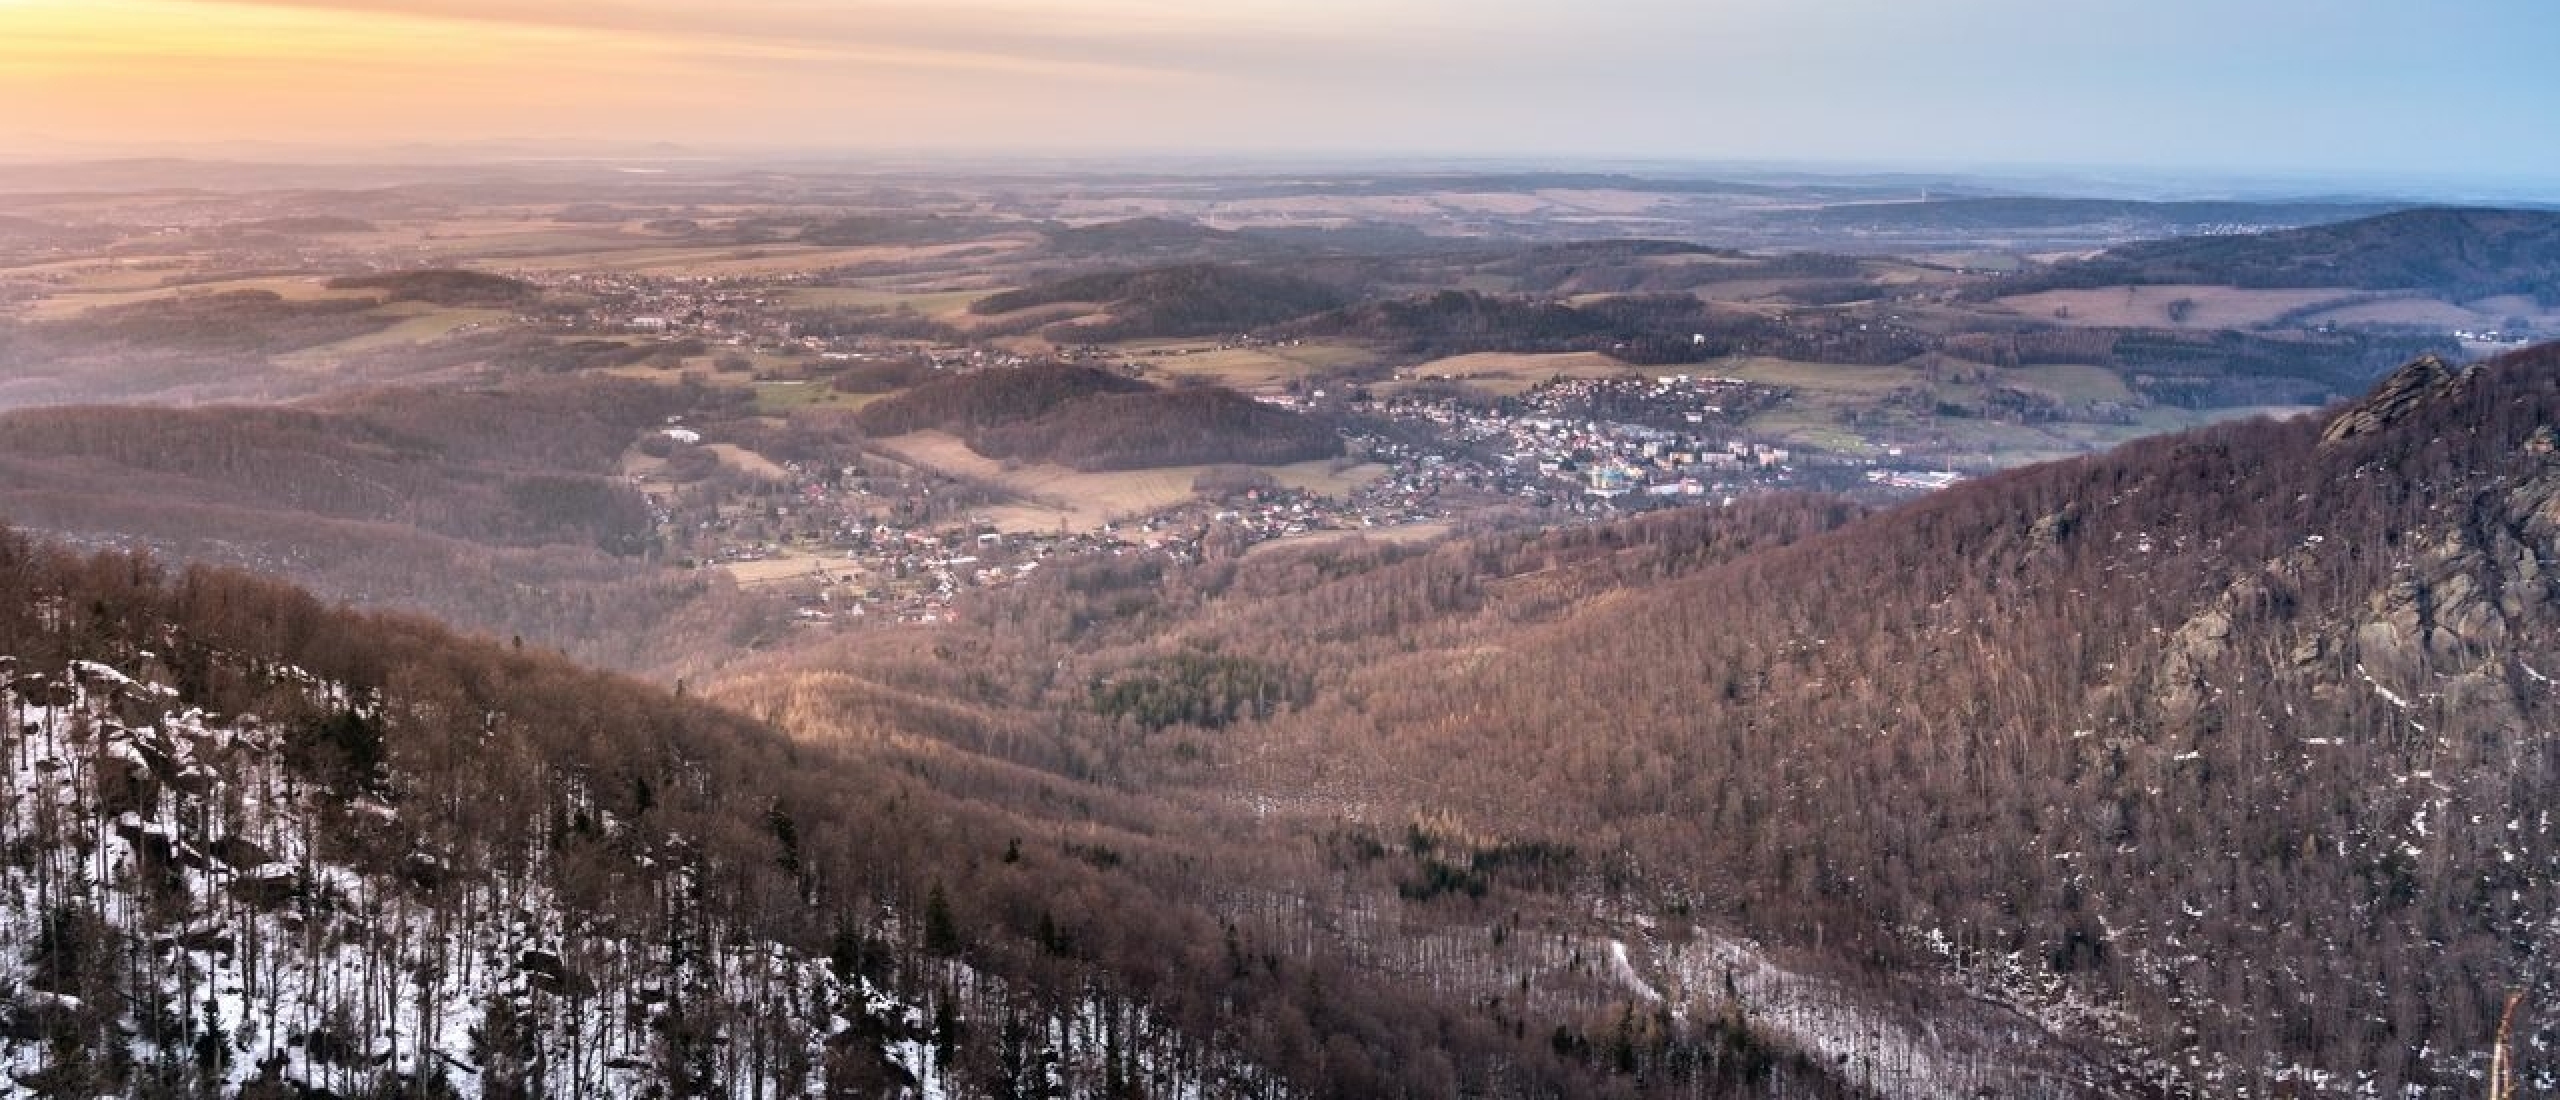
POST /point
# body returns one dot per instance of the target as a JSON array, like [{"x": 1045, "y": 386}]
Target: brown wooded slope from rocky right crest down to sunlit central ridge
[{"x": 2216, "y": 764}]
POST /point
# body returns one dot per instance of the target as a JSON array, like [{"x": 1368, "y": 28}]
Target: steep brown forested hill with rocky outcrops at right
[{"x": 2241, "y": 733}]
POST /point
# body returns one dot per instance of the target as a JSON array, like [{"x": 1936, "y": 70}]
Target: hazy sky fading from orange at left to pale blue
[{"x": 2456, "y": 88}]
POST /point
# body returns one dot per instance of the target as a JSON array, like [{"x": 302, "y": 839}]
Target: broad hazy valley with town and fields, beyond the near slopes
[{"x": 1476, "y": 375}]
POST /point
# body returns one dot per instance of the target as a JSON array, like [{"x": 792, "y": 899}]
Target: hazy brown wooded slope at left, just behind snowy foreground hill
[{"x": 493, "y": 510}]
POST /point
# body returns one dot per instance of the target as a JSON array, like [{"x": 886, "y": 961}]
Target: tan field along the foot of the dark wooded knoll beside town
[{"x": 1056, "y": 498}]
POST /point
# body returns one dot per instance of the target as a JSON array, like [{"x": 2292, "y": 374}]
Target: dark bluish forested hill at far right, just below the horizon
[{"x": 2459, "y": 255}]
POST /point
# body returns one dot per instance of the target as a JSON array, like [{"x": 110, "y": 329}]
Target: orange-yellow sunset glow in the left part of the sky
[{"x": 216, "y": 70}]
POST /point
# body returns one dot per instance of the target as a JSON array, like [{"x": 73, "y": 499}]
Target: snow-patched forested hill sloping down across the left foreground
[{"x": 255, "y": 845}]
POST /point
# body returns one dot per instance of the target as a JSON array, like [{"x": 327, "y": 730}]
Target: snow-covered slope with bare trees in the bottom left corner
[{"x": 178, "y": 917}]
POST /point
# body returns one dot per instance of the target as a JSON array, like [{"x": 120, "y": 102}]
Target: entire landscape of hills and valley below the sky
[{"x": 785, "y": 631}]
